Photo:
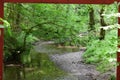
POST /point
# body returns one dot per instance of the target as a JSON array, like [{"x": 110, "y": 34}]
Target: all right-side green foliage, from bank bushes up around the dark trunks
[{"x": 103, "y": 52}]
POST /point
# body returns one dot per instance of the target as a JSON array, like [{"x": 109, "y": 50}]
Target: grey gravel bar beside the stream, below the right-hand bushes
[{"x": 73, "y": 64}]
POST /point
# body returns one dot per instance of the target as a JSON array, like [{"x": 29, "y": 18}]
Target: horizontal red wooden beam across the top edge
[{"x": 64, "y": 1}]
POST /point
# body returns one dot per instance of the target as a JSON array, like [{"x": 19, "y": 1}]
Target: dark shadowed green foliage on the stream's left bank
[{"x": 16, "y": 43}]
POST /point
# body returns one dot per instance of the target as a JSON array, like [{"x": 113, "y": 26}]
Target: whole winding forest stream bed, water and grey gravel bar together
[{"x": 51, "y": 63}]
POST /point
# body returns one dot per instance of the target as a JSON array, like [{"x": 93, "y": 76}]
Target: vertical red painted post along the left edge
[{"x": 1, "y": 39}]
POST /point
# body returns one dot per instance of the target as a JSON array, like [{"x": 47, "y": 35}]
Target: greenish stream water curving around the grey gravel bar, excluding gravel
[{"x": 39, "y": 66}]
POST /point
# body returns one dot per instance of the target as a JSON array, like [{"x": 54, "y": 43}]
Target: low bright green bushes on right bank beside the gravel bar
[{"x": 102, "y": 52}]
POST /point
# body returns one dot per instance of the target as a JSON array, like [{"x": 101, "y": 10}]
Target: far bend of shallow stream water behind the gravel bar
[{"x": 49, "y": 48}]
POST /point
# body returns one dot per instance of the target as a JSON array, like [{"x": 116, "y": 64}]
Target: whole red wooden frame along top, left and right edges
[{"x": 52, "y": 1}]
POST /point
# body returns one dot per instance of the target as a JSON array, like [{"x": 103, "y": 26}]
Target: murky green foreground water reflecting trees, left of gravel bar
[{"x": 40, "y": 68}]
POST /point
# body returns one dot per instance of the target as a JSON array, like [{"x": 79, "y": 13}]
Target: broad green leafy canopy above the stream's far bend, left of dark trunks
[{"x": 62, "y": 24}]
